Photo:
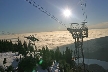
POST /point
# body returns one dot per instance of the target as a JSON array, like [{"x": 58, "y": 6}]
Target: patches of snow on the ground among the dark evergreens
[{"x": 11, "y": 60}]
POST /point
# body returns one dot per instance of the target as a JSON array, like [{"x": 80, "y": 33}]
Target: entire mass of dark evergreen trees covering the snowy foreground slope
[{"x": 45, "y": 58}]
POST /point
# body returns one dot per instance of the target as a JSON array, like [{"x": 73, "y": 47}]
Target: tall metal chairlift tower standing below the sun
[{"x": 78, "y": 33}]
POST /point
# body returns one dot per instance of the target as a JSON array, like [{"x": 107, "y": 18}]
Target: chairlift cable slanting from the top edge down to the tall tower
[{"x": 45, "y": 11}]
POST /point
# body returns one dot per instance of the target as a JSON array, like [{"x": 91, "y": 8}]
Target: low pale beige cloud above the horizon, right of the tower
[{"x": 103, "y": 25}]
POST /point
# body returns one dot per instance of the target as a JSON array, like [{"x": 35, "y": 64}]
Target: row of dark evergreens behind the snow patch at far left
[{"x": 22, "y": 48}]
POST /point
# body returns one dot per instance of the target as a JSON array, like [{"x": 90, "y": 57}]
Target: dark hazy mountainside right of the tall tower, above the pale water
[{"x": 100, "y": 51}]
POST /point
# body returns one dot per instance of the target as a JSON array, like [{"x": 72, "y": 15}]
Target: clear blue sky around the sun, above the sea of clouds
[{"x": 19, "y": 16}]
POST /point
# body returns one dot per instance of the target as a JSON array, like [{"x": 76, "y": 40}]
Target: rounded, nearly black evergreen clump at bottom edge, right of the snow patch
[{"x": 27, "y": 64}]
